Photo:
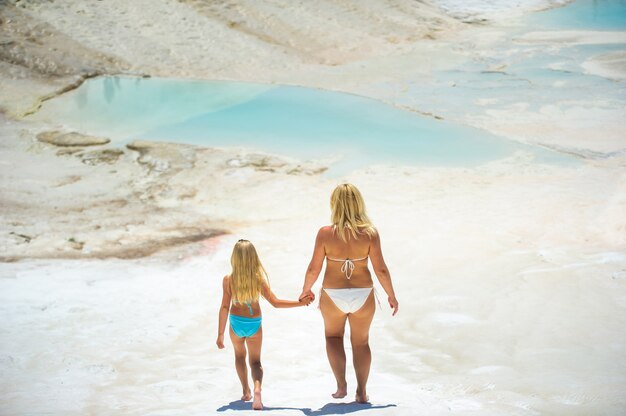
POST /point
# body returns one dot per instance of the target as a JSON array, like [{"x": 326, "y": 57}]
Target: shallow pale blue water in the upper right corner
[{"x": 513, "y": 74}]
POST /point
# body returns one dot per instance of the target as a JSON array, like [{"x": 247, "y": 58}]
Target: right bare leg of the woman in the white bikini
[{"x": 360, "y": 322}]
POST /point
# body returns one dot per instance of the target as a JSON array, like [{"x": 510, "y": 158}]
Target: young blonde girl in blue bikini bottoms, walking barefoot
[{"x": 245, "y": 284}]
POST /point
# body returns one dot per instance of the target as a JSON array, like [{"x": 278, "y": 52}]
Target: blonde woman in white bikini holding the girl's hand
[{"x": 347, "y": 289}]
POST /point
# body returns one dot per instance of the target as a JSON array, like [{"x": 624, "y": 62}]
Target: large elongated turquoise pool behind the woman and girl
[{"x": 302, "y": 122}]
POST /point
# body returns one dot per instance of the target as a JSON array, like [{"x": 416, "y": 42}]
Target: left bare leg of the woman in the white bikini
[{"x": 334, "y": 327}]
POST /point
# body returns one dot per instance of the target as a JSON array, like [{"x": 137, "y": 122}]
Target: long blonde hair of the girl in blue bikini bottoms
[{"x": 248, "y": 274}]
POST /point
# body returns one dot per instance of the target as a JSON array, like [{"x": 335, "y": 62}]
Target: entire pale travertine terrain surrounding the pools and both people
[{"x": 510, "y": 276}]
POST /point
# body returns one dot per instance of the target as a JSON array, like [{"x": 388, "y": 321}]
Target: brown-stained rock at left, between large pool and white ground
[{"x": 71, "y": 200}]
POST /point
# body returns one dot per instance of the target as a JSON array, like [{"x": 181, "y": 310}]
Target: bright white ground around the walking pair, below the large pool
[{"x": 511, "y": 292}]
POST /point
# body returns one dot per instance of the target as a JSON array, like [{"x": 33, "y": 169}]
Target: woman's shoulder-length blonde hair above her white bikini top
[{"x": 348, "y": 212}]
